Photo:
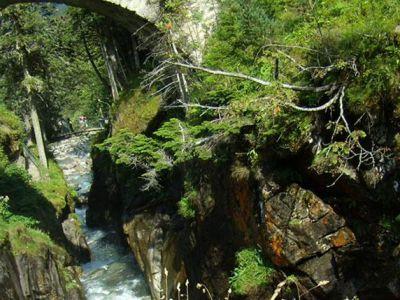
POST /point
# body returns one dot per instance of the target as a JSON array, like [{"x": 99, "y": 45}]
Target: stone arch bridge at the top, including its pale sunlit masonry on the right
[{"x": 144, "y": 14}]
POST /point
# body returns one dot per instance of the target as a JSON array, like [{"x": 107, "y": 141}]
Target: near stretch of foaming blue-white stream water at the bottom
[{"x": 113, "y": 272}]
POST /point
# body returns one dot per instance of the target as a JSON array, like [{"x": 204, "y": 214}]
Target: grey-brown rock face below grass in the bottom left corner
[{"x": 44, "y": 276}]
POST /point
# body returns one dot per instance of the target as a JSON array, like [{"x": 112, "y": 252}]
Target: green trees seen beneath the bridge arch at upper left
[{"x": 47, "y": 43}]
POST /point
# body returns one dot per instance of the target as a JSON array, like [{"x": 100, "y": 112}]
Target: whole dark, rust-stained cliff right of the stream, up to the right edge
[{"x": 297, "y": 230}]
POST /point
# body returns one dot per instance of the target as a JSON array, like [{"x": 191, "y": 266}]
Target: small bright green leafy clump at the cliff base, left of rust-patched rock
[{"x": 252, "y": 271}]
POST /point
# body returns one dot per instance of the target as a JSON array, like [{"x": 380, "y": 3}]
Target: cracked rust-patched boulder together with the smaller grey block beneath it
[{"x": 304, "y": 232}]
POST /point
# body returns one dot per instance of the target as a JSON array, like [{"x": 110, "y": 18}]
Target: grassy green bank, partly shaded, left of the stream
[{"x": 31, "y": 204}]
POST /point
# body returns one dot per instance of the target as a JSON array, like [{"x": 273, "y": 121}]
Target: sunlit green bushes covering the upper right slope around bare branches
[{"x": 316, "y": 43}]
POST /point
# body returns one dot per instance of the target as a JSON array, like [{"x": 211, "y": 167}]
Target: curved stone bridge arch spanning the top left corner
[{"x": 132, "y": 14}]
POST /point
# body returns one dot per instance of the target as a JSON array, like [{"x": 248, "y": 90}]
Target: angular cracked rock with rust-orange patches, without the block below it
[{"x": 299, "y": 225}]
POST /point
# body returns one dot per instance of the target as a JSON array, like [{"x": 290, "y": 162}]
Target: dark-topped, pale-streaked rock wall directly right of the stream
[{"x": 150, "y": 229}]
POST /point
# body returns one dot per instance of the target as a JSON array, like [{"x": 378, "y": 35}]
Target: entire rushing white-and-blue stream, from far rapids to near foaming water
[{"x": 112, "y": 273}]
